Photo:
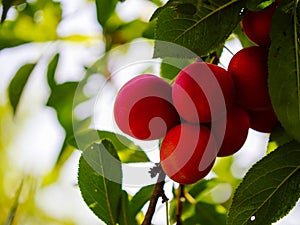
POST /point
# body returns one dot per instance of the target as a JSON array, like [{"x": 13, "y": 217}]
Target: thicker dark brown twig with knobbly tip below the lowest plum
[{"x": 158, "y": 192}]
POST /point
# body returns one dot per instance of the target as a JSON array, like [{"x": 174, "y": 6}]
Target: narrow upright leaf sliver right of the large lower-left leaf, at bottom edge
[{"x": 126, "y": 217}]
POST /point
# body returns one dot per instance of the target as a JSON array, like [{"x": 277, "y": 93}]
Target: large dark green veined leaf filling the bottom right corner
[{"x": 269, "y": 190}]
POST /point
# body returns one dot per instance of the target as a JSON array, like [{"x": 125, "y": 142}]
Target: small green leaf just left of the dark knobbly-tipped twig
[{"x": 140, "y": 199}]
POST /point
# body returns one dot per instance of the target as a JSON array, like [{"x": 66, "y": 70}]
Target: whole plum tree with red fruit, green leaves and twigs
[{"x": 162, "y": 115}]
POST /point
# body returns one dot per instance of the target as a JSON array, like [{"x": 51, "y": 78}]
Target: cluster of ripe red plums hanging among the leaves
[{"x": 206, "y": 113}]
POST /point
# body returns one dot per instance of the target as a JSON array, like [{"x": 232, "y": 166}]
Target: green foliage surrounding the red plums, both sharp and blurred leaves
[{"x": 203, "y": 27}]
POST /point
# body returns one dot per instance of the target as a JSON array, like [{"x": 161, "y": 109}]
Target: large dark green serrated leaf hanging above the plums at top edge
[{"x": 200, "y": 26}]
